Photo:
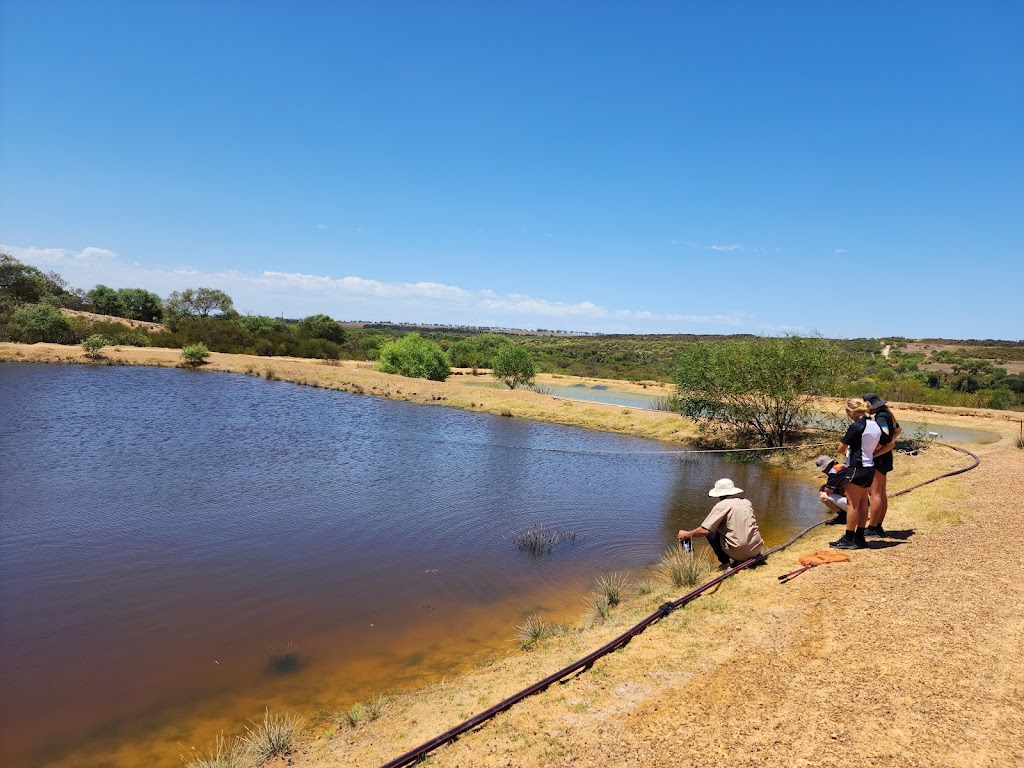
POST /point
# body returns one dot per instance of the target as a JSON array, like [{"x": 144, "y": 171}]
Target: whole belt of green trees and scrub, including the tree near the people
[{"x": 732, "y": 382}]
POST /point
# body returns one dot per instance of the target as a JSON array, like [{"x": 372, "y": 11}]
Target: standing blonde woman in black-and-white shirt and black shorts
[{"x": 859, "y": 445}]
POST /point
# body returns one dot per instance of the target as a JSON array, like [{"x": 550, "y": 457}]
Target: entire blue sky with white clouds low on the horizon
[{"x": 650, "y": 167}]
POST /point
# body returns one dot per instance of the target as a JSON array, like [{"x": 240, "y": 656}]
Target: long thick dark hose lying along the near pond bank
[{"x": 587, "y": 662}]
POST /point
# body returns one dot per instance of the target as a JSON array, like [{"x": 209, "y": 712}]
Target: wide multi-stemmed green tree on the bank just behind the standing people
[{"x": 761, "y": 387}]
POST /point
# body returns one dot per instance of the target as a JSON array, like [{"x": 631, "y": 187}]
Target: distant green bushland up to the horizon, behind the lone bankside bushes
[{"x": 31, "y": 305}]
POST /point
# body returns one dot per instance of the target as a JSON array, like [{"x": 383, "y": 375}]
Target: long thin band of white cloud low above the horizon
[{"x": 353, "y": 297}]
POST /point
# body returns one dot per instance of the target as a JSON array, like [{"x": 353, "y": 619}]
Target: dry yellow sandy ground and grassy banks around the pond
[{"x": 909, "y": 656}]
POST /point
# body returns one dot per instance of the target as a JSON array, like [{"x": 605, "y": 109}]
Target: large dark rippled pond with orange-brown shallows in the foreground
[{"x": 163, "y": 531}]
